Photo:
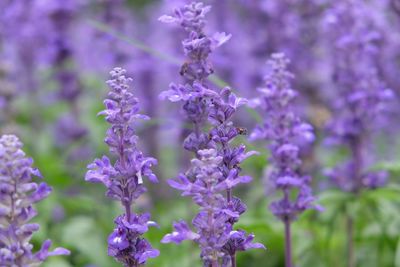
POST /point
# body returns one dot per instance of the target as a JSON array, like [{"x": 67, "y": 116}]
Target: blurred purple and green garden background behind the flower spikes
[{"x": 54, "y": 60}]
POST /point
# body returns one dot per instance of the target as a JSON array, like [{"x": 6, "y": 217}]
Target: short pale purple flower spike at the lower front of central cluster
[{"x": 212, "y": 228}]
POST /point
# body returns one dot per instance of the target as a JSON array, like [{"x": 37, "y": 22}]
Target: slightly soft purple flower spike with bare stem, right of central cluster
[{"x": 285, "y": 132}]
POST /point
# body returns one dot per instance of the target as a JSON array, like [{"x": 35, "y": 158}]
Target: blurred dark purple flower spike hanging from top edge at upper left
[{"x": 60, "y": 17}]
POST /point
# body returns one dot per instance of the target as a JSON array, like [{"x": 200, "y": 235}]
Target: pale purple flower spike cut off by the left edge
[{"x": 18, "y": 193}]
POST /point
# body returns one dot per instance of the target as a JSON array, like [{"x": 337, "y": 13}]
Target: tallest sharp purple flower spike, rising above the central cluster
[{"x": 195, "y": 94}]
